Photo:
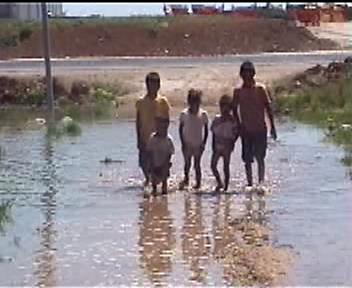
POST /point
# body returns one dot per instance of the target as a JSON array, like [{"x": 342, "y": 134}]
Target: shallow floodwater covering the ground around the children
[{"x": 76, "y": 221}]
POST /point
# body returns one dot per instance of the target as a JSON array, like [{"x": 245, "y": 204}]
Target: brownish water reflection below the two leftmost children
[{"x": 157, "y": 238}]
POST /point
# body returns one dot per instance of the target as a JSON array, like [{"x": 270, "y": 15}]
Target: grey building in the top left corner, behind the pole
[{"x": 28, "y": 11}]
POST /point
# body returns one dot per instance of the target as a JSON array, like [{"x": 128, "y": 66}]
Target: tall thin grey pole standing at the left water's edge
[{"x": 46, "y": 42}]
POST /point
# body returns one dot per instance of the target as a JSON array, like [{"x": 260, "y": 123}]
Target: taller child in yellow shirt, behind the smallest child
[{"x": 146, "y": 108}]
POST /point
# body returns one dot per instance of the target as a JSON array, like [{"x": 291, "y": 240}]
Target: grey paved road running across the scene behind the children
[{"x": 31, "y": 66}]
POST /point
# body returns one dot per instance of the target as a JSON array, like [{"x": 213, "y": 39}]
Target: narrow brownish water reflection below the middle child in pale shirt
[{"x": 195, "y": 241}]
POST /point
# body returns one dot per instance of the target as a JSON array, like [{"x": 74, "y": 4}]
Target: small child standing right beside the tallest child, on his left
[{"x": 225, "y": 133}]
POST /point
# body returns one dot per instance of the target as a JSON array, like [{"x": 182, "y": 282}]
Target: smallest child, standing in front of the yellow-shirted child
[{"x": 161, "y": 148}]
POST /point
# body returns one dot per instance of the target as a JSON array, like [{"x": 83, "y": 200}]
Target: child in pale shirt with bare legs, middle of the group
[{"x": 193, "y": 131}]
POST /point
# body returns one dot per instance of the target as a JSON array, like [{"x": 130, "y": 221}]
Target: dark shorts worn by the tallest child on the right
[{"x": 253, "y": 146}]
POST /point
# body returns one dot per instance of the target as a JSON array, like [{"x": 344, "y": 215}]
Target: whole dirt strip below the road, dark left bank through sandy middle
[{"x": 127, "y": 85}]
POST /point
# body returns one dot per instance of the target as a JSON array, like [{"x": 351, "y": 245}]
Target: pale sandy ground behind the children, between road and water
[{"x": 214, "y": 80}]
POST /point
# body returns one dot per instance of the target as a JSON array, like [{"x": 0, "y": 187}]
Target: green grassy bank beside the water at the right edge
[{"x": 328, "y": 107}]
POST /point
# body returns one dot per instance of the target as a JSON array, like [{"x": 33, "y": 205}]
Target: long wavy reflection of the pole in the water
[{"x": 45, "y": 257}]
